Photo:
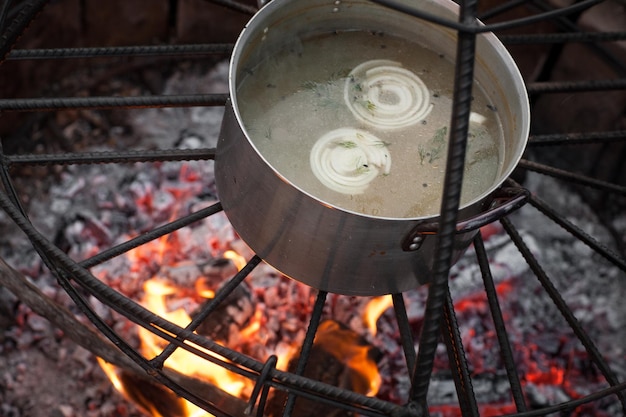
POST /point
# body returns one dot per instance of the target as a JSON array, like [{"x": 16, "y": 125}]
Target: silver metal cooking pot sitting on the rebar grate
[{"x": 311, "y": 240}]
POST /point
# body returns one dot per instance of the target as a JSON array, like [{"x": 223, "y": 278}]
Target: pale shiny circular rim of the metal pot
[{"x": 489, "y": 37}]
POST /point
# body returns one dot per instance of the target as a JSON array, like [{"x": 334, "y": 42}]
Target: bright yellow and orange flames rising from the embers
[{"x": 158, "y": 294}]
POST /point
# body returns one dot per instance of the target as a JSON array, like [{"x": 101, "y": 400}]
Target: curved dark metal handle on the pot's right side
[{"x": 504, "y": 201}]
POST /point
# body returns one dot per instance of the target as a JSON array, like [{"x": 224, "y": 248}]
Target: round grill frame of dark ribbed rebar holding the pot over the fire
[{"x": 439, "y": 319}]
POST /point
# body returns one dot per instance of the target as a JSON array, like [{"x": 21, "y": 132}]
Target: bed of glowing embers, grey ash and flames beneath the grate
[{"x": 161, "y": 231}]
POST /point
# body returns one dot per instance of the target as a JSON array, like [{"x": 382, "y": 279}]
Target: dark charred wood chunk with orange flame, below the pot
[{"x": 339, "y": 357}]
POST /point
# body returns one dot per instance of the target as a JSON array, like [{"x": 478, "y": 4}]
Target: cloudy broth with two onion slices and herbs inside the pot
[{"x": 361, "y": 121}]
